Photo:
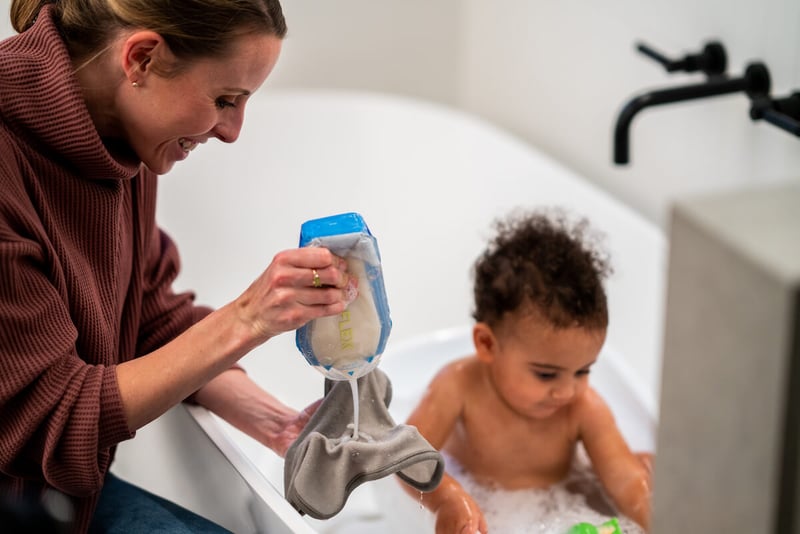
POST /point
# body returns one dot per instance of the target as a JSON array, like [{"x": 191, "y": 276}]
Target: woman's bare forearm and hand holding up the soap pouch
[{"x": 280, "y": 300}]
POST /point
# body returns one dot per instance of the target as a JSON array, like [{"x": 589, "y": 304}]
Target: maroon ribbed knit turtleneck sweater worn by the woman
[{"x": 85, "y": 278}]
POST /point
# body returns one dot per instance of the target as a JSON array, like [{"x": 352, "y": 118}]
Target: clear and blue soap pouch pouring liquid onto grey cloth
[{"x": 348, "y": 345}]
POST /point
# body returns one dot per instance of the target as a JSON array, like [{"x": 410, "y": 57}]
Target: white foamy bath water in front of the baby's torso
[{"x": 578, "y": 498}]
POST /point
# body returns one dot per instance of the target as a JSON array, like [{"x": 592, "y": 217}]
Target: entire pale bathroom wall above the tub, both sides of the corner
[{"x": 557, "y": 72}]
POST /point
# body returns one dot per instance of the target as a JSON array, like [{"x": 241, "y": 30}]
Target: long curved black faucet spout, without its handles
[{"x": 754, "y": 82}]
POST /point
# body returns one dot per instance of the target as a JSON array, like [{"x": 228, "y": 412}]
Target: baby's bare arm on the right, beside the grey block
[{"x": 624, "y": 475}]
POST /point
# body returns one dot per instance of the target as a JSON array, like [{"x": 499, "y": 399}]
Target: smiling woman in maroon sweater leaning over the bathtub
[{"x": 98, "y": 97}]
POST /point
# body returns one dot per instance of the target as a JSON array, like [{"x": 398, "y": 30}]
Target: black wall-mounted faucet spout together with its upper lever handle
[{"x": 712, "y": 61}]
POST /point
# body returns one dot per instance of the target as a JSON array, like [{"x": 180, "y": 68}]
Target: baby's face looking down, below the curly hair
[{"x": 539, "y": 369}]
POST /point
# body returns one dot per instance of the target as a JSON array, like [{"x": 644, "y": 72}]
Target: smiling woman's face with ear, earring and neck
[{"x": 160, "y": 128}]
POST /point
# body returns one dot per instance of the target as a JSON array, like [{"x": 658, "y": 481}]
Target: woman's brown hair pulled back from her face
[{"x": 191, "y": 28}]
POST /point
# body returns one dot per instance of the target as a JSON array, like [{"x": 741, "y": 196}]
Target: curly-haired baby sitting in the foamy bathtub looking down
[{"x": 513, "y": 413}]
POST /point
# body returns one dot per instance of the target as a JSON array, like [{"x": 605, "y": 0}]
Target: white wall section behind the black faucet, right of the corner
[{"x": 557, "y": 73}]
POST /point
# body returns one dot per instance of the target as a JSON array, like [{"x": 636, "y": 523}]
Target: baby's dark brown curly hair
[{"x": 540, "y": 259}]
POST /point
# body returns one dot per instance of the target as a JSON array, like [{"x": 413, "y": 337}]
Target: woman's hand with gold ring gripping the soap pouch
[{"x": 298, "y": 286}]
